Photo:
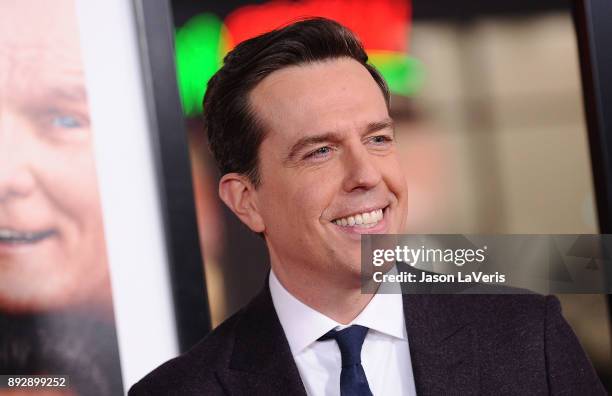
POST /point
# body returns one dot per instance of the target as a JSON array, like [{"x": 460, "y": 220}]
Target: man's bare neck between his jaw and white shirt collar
[{"x": 342, "y": 303}]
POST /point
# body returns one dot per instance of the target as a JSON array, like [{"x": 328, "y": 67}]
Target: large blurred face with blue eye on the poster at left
[{"x": 51, "y": 239}]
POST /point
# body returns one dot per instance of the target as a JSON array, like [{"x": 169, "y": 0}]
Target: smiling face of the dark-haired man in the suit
[{"x": 328, "y": 163}]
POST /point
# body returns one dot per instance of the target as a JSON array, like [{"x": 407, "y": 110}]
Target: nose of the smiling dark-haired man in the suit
[{"x": 362, "y": 171}]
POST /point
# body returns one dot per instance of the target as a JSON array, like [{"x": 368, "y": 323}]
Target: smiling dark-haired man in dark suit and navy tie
[{"x": 299, "y": 125}]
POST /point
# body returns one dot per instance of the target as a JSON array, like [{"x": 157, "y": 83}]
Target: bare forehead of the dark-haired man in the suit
[{"x": 332, "y": 95}]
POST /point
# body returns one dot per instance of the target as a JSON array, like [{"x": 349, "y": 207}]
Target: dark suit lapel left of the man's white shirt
[{"x": 261, "y": 362}]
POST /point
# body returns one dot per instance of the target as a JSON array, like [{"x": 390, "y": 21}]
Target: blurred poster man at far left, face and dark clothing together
[{"x": 55, "y": 294}]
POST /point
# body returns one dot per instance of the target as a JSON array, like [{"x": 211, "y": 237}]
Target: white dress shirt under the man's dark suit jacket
[{"x": 385, "y": 355}]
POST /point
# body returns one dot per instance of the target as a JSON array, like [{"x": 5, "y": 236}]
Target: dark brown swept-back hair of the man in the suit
[{"x": 234, "y": 131}]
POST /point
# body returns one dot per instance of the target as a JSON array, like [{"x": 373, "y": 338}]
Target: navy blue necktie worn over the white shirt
[{"x": 353, "y": 381}]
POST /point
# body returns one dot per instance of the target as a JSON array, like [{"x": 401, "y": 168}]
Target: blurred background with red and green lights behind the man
[{"x": 488, "y": 105}]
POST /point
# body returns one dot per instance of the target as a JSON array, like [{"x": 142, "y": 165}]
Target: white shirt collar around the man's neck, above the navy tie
[{"x": 304, "y": 325}]
